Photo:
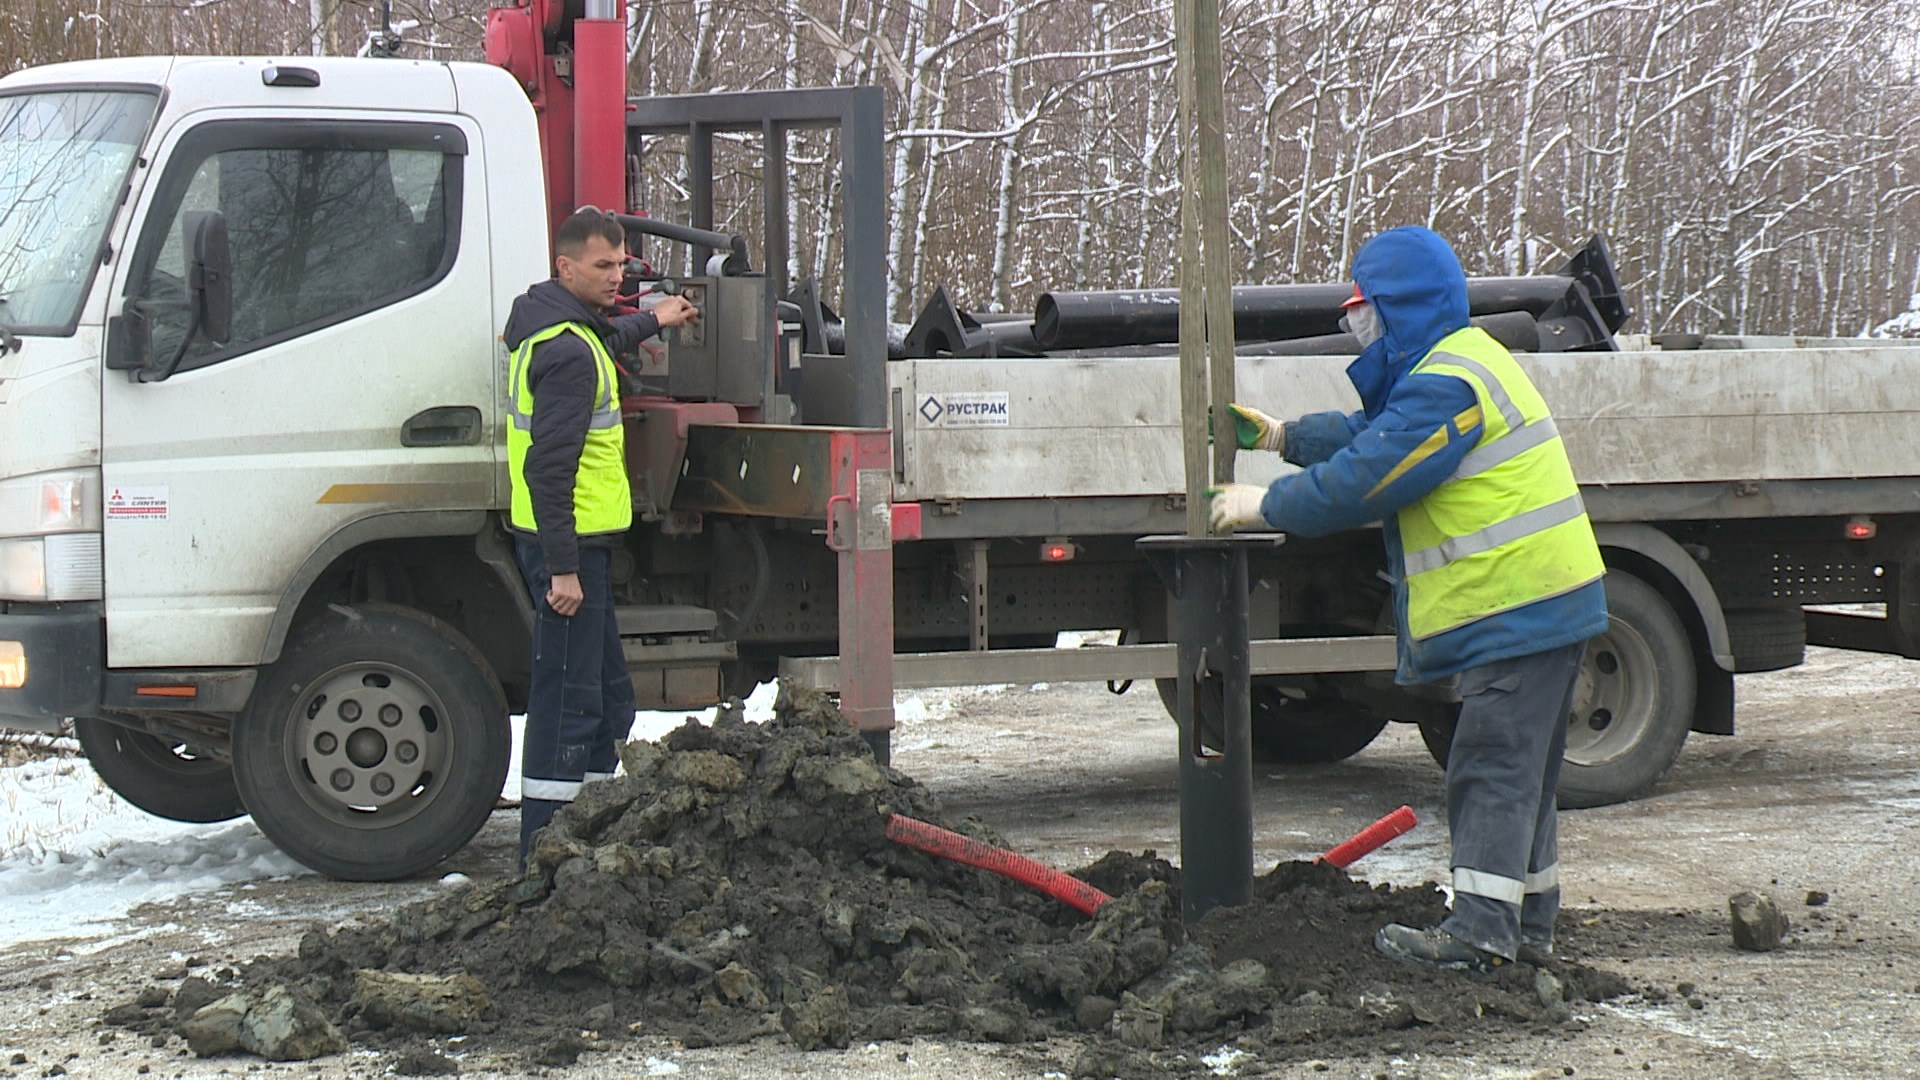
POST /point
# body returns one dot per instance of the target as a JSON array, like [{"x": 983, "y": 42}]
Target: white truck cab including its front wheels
[{"x": 249, "y": 347}]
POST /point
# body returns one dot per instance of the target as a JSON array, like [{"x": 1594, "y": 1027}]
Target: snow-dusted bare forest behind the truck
[{"x": 1754, "y": 162}]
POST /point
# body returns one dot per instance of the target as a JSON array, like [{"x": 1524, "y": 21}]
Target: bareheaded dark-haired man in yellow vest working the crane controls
[{"x": 571, "y": 506}]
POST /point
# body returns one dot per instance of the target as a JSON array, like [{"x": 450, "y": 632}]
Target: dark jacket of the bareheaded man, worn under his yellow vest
[{"x": 562, "y": 381}]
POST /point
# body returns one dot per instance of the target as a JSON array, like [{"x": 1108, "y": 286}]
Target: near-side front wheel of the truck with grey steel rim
[{"x": 377, "y": 745}]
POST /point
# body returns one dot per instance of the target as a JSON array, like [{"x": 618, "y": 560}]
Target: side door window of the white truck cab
[{"x": 320, "y": 233}]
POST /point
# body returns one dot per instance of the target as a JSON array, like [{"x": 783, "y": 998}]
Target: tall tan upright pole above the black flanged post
[{"x": 1207, "y": 283}]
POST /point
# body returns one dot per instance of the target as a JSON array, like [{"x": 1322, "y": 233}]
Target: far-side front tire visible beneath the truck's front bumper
[{"x": 160, "y": 775}]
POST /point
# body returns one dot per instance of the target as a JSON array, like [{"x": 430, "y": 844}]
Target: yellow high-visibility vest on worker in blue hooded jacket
[{"x": 1508, "y": 528}]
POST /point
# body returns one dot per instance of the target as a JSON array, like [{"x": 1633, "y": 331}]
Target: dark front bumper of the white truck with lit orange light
[{"x": 64, "y": 652}]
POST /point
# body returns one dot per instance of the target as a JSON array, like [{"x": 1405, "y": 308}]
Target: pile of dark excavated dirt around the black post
[{"x": 736, "y": 883}]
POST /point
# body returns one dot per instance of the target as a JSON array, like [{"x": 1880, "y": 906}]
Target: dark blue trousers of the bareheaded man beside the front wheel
[{"x": 581, "y": 704}]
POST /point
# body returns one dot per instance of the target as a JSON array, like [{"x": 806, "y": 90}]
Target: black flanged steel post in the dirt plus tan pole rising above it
[{"x": 1207, "y": 576}]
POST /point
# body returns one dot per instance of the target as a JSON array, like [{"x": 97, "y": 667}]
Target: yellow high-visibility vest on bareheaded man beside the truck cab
[{"x": 604, "y": 503}]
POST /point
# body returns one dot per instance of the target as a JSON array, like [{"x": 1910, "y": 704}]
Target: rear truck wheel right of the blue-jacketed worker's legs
[{"x": 1633, "y": 704}]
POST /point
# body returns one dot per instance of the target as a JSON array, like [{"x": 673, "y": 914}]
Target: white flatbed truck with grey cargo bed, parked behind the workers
[{"x": 252, "y": 474}]
